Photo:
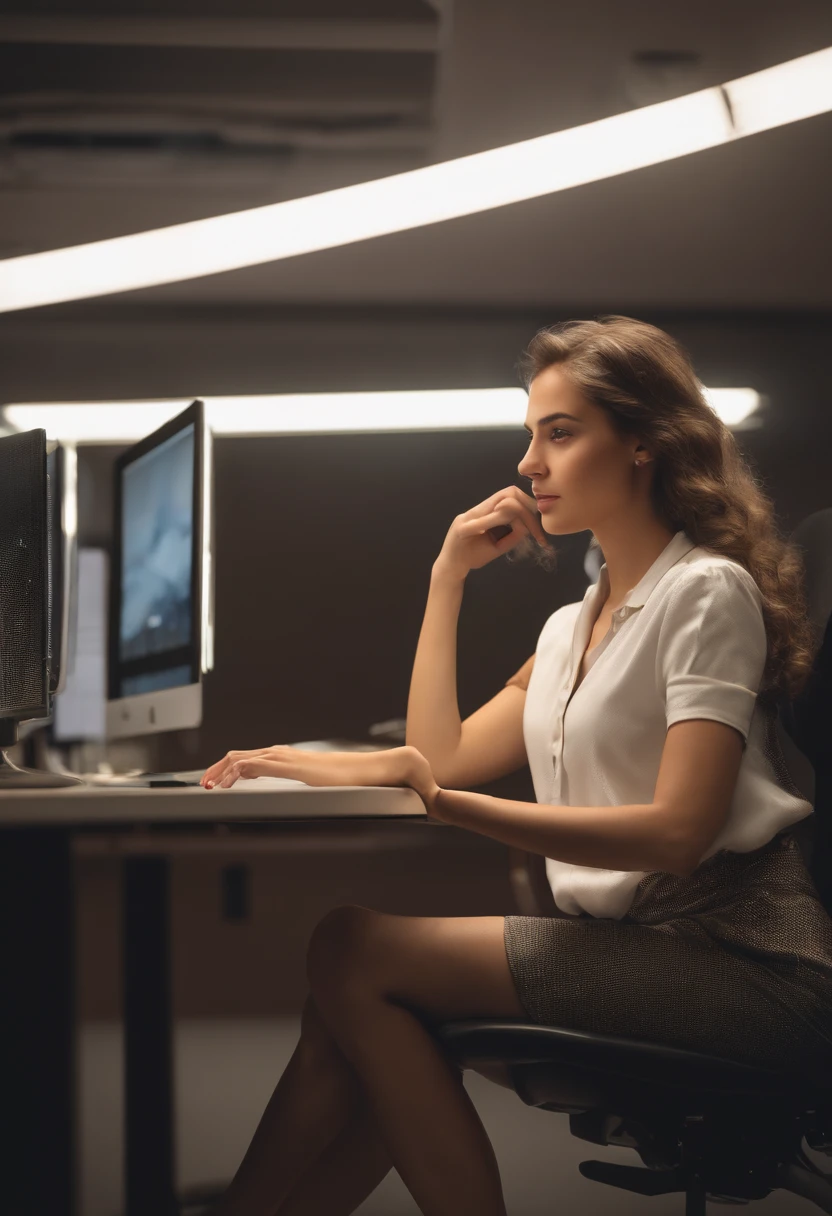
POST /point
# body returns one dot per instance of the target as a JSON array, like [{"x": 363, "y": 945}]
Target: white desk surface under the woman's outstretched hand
[{"x": 82, "y": 806}]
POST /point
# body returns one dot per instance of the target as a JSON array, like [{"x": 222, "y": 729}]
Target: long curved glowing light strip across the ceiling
[{"x": 784, "y": 94}]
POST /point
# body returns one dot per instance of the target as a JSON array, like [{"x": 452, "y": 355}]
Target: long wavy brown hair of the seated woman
[{"x": 702, "y": 483}]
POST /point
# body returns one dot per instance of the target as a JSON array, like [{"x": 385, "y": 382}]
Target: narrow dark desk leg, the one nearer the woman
[{"x": 149, "y": 1157}]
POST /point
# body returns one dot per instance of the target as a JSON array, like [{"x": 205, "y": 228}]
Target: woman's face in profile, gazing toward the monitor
[{"x": 578, "y": 458}]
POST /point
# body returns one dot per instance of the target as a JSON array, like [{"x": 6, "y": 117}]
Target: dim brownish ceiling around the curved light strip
[{"x": 119, "y": 117}]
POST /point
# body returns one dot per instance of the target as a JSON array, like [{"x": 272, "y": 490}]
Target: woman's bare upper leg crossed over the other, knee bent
[{"x": 379, "y": 983}]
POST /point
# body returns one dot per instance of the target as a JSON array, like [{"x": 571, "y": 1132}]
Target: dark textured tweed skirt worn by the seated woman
[{"x": 734, "y": 960}]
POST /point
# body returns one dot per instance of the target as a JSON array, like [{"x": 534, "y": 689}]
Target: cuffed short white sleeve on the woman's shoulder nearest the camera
[{"x": 713, "y": 648}]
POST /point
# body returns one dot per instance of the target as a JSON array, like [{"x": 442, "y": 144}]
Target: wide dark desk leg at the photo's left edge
[{"x": 37, "y": 1024}]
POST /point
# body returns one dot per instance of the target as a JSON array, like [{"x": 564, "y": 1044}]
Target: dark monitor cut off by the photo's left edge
[{"x": 37, "y": 570}]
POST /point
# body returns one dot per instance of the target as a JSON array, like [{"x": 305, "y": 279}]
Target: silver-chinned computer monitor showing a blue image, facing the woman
[{"x": 161, "y": 599}]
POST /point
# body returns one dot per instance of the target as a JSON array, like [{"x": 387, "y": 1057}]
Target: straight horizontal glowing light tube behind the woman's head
[{"x": 476, "y": 409}]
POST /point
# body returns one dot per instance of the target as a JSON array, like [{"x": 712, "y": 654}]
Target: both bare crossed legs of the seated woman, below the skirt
[{"x": 369, "y": 1088}]
